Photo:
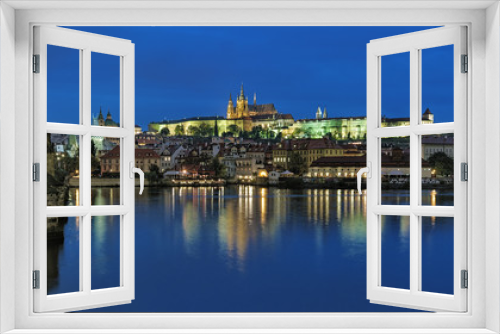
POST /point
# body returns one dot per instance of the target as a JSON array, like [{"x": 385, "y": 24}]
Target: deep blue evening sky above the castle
[{"x": 190, "y": 71}]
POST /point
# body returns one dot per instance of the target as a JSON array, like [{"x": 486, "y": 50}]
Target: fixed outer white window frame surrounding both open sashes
[{"x": 482, "y": 19}]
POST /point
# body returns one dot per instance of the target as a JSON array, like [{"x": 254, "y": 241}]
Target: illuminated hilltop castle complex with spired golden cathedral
[{"x": 245, "y": 117}]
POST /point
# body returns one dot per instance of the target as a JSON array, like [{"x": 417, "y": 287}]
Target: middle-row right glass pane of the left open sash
[{"x": 105, "y": 170}]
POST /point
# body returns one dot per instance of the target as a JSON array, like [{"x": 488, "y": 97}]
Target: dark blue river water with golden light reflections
[{"x": 251, "y": 249}]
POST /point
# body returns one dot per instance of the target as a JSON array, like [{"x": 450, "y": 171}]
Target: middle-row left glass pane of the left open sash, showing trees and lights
[{"x": 63, "y": 168}]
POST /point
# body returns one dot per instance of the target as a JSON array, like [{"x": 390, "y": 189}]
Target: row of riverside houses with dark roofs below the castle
[{"x": 245, "y": 159}]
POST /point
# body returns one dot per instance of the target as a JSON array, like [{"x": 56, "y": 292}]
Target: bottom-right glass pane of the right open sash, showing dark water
[{"x": 437, "y": 254}]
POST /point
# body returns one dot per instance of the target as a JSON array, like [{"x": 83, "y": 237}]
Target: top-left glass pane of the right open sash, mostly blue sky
[{"x": 395, "y": 90}]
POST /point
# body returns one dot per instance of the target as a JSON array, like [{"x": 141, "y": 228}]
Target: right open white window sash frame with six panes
[{"x": 414, "y": 43}]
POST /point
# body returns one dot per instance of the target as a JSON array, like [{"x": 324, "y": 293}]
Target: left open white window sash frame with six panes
[{"x": 85, "y": 44}]
